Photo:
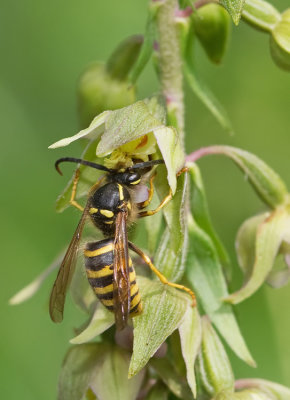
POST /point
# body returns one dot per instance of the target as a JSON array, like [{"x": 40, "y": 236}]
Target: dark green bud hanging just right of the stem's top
[{"x": 212, "y": 25}]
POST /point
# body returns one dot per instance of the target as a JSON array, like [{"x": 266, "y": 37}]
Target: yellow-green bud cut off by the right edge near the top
[{"x": 280, "y": 42}]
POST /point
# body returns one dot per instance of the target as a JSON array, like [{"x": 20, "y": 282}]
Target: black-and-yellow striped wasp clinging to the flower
[{"x": 110, "y": 272}]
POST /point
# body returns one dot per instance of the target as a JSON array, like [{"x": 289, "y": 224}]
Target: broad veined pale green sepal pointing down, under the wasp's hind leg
[{"x": 164, "y": 308}]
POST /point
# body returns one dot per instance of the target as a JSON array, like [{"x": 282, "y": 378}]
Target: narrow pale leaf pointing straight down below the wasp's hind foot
[{"x": 190, "y": 339}]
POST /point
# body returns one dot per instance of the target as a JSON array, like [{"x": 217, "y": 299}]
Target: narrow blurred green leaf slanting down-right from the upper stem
[{"x": 205, "y": 95}]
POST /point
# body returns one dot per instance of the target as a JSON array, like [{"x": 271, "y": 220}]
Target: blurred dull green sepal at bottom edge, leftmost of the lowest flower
[{"x": 77, "y": 370}]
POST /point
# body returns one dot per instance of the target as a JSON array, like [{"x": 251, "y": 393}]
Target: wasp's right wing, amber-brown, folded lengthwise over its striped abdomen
[{"x": 121, "y": 286}]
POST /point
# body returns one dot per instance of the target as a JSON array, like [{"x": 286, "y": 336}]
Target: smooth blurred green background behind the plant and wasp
[{"x": 44, "y": 47}]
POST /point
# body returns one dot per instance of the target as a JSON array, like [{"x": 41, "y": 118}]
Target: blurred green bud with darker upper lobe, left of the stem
[{"x": 106, "y": 87}]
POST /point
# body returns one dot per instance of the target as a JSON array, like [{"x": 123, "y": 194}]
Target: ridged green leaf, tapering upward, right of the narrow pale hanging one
[{"x": 215, "y": 369}]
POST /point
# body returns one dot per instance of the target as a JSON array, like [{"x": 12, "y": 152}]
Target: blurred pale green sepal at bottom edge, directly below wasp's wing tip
[{"x": 111, "y": 380}]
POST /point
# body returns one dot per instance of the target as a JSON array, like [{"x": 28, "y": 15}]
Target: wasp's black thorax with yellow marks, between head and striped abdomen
[{"x": 105, "y": 204}]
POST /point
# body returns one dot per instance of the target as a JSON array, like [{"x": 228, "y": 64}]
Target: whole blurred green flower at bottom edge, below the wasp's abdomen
[{"x": 90, "y": 365}]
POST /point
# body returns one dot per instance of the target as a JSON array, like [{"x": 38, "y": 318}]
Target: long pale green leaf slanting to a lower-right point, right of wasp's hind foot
[{"x": 204, "y": 272}]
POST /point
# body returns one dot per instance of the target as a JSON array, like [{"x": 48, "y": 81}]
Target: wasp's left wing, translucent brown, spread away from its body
[{"x": 65, "y": 273}]
